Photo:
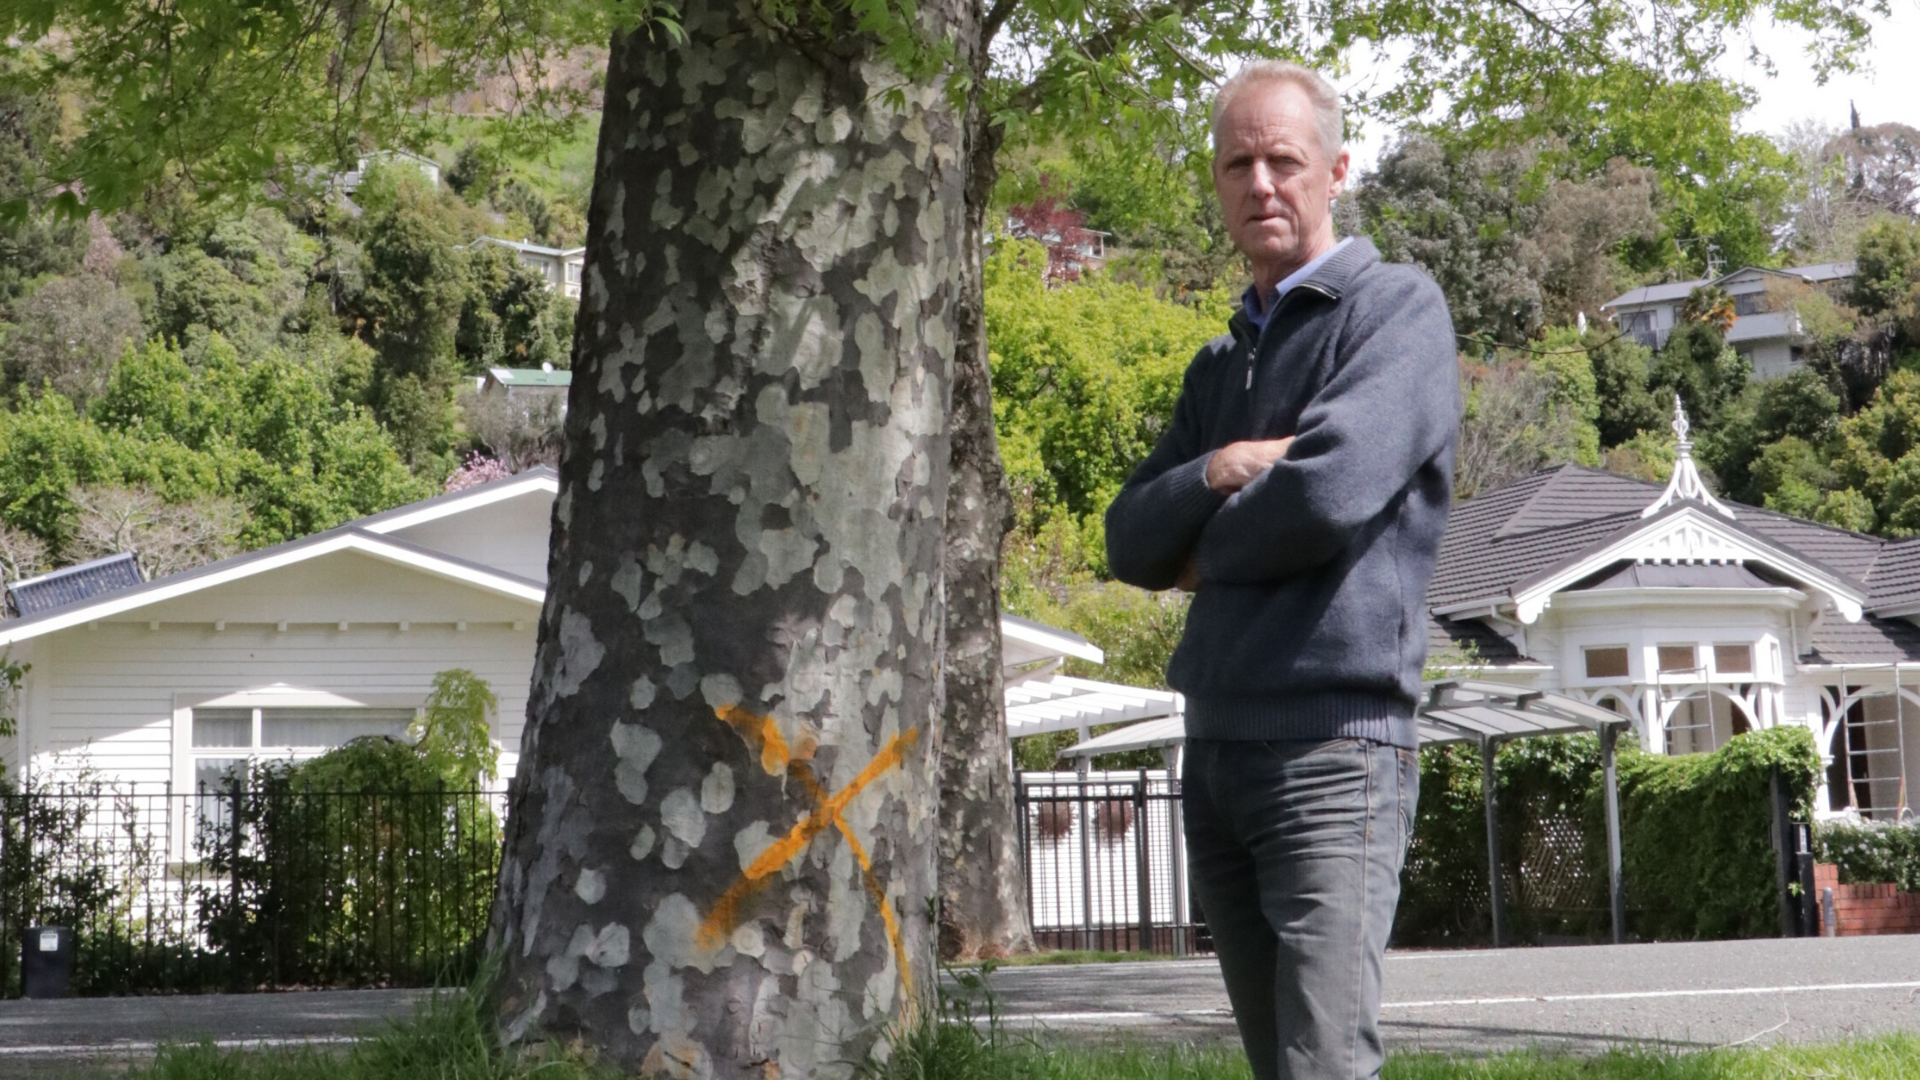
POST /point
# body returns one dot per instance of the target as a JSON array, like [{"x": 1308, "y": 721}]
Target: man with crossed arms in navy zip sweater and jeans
[{"x": 1301, "y": 495}]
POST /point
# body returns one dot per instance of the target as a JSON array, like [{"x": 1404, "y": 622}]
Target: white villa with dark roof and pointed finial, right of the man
[{"x": 1694, "y": 618}]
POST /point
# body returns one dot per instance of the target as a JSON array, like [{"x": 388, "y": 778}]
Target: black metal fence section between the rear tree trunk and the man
[{"x": 1105, "y": 864}]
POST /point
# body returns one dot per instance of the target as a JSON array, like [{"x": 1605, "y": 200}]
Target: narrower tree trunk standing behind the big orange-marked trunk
[{"x": 984, "y": 893}]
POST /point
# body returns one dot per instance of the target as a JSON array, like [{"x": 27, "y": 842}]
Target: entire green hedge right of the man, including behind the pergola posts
[{"x": 1696, "y": 839}]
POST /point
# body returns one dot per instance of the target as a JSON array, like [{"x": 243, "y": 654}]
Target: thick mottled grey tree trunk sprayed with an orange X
[{"x": 723, "y": 839}]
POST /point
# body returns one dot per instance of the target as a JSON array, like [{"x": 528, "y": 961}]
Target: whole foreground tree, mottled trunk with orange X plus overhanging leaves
[{"x": 780, "y": 464}]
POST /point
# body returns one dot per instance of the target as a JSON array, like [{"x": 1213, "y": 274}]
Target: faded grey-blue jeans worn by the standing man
[{"x": 1295, "y": 854}]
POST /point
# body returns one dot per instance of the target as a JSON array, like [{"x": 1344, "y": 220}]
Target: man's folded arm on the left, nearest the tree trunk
[{"x": 1155, "y": 522}]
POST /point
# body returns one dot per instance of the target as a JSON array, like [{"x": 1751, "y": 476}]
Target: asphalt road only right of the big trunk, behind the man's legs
[{"x": 1583, "y": 998}]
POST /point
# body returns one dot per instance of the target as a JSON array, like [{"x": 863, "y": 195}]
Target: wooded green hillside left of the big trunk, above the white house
[{"x": 191, "y": 380}]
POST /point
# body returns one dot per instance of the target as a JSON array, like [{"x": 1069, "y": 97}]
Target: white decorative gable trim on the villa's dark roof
[{"x": 1691, "y": 533}]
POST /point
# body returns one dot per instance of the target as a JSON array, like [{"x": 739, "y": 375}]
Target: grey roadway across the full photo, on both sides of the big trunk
[{"x": 1466, "y": 1002}]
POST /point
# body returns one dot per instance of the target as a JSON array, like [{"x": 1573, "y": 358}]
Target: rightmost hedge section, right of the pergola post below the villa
[{"x": 1696, "y": 835}]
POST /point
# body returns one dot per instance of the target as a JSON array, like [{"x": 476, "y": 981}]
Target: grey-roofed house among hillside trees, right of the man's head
[{"x": 1771, "y": 341}]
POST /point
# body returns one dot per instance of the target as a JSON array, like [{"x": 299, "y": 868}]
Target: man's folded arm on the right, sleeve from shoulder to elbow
[{"x": 1385, "y": 414}]
